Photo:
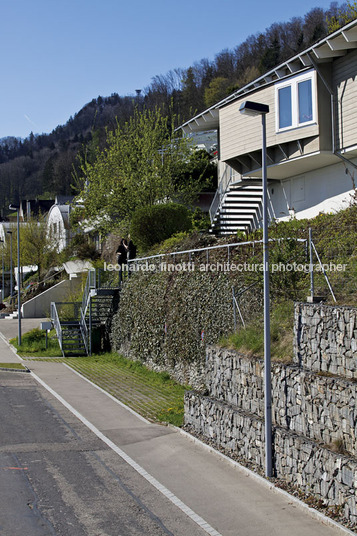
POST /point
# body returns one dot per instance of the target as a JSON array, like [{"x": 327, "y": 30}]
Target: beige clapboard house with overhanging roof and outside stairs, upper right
[{"x": 311, "y": 138}]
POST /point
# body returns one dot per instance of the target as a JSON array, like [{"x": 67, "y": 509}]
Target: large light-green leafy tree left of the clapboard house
[{"x": 137, "y": 168}]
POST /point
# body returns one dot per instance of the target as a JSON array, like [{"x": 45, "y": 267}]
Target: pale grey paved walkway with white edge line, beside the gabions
[{"x": 208, "y": 488}]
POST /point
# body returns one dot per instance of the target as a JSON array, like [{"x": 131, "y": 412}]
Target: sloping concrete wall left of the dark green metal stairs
[{"x": 39, "y": 306}]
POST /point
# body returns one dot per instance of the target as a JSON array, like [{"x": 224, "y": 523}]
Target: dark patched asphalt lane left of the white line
[{"x": 57, "y": 478}]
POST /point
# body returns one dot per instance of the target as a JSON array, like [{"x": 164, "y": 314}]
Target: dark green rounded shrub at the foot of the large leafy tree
[{"x": 151, "y": 225}]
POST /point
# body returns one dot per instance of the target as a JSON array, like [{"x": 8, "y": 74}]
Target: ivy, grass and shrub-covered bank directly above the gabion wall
[{"x": 166, "y": 316}]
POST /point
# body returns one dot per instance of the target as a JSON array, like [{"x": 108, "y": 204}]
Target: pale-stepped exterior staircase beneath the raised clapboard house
[{"x": 239, "y": 209}]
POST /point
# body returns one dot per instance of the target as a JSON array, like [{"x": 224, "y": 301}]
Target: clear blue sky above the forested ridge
[{"x": 57, "y": 55}]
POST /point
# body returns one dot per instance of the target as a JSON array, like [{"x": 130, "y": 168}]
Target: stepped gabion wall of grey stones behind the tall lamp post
[{"x": 313, "y": 406}]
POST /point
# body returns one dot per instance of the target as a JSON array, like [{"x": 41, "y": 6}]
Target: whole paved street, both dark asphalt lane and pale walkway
[{"x": 74, "y": 461}]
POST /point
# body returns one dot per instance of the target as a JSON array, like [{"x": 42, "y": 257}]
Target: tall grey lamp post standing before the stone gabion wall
[{"x": 256, "y": 109}]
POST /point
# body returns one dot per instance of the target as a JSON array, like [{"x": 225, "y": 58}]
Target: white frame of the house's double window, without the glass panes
[{"x": 294, "y": 84}]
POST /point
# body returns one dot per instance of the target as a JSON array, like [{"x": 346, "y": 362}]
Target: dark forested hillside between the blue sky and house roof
[{"x": 43, "y": 164}]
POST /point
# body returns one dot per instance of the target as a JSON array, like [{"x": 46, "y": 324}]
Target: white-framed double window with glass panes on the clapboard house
[{"x": 295, "y": 102}]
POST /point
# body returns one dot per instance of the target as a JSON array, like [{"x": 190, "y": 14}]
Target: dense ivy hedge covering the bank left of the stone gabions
[{"x": 166, "y": 319}]
